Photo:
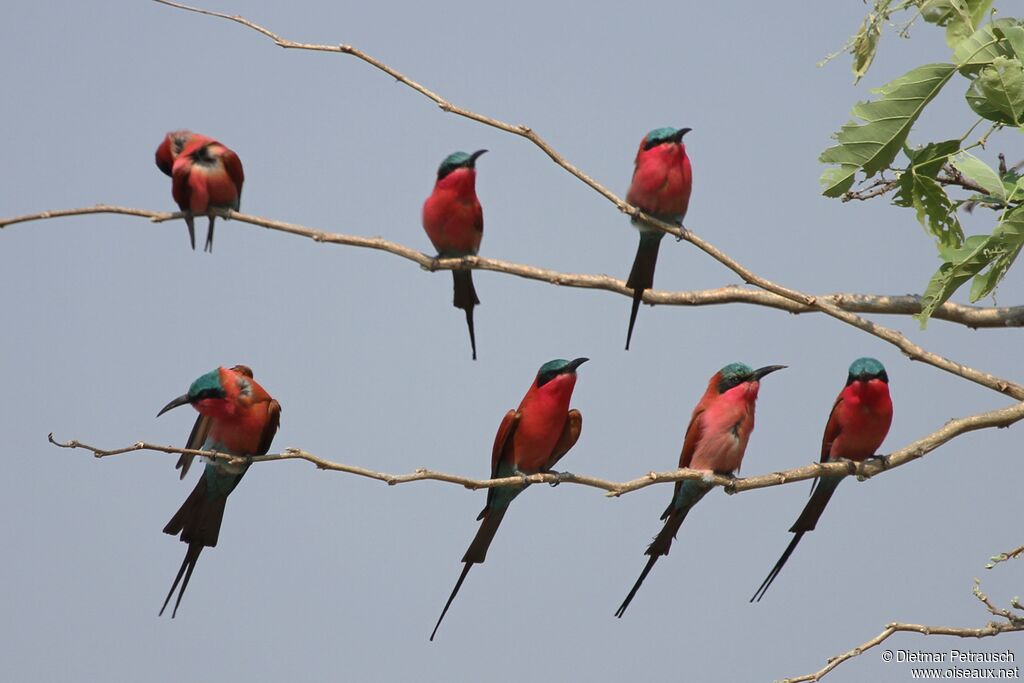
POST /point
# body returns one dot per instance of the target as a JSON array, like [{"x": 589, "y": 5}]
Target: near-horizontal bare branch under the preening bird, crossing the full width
[{"x": 900, "y": 305}]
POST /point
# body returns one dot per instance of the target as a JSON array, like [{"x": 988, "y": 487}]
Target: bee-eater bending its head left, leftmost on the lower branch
[{"x": 242, "y": 421}]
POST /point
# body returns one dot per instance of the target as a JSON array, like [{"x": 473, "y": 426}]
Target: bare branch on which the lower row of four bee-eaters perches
[{"x": 999, "y": 418}]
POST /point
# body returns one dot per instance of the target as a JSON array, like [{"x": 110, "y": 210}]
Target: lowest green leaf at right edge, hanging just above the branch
[{"x": 997, "y": 251}]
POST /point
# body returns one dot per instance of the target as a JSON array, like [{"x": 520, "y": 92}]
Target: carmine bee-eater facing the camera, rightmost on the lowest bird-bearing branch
[{"x": 858, "y": 425}]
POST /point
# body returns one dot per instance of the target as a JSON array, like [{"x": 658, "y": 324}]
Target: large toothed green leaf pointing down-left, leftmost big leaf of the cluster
[{"x": 874, "y": 145}]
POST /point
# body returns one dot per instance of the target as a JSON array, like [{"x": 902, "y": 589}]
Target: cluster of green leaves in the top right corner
[{"x": 932, "y": 178}]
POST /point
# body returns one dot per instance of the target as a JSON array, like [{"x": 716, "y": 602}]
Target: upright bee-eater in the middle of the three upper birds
[{"x": 454, "y": 222}]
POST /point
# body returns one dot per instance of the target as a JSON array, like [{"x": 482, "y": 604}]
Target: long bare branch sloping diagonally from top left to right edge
[{"x": 912, "y": 351}]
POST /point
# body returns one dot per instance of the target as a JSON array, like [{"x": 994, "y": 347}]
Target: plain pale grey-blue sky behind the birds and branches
[{"x": 326, "y": 577}]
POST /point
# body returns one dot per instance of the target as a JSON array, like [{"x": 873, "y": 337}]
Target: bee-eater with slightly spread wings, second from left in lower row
[{"x": 531, "y": 439}]
